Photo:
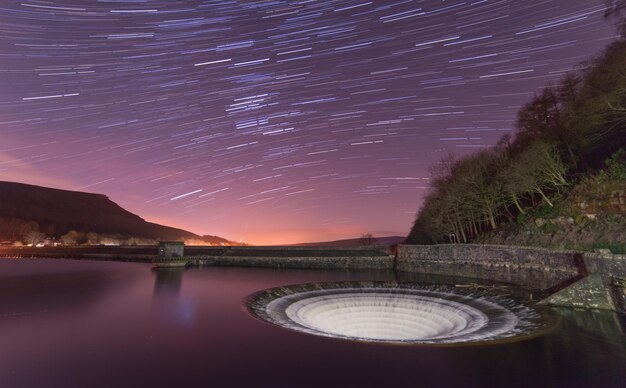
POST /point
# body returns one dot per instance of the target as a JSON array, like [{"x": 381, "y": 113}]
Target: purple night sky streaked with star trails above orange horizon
[{"x": 272, "y": 121}]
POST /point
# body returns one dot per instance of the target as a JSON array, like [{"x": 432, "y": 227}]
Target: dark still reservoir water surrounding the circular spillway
[{"x": 103, "y": 324}]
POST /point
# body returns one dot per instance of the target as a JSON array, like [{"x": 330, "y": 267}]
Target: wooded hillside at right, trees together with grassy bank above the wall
[{"x": 569, "y": 151}]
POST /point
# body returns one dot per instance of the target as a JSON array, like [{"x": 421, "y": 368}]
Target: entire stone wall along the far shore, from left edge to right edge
[{"x": 566, "y": 278}]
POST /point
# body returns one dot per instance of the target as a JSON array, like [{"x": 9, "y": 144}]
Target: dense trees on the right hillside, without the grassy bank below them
[{"x": 565, "y": 130}]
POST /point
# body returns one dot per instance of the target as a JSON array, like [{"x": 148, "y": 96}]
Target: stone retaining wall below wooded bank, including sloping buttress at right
[{"x": 567, "y": 278}]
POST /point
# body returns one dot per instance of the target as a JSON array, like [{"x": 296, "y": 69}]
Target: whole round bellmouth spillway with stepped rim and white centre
[{"x": 399, "y": 313}]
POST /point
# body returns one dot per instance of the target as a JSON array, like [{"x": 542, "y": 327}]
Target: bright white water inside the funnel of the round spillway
[{"x": 387, "y": 316}]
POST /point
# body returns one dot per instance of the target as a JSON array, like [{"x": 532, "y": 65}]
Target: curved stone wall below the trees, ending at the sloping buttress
[{"x": 532, "y": 268}]
